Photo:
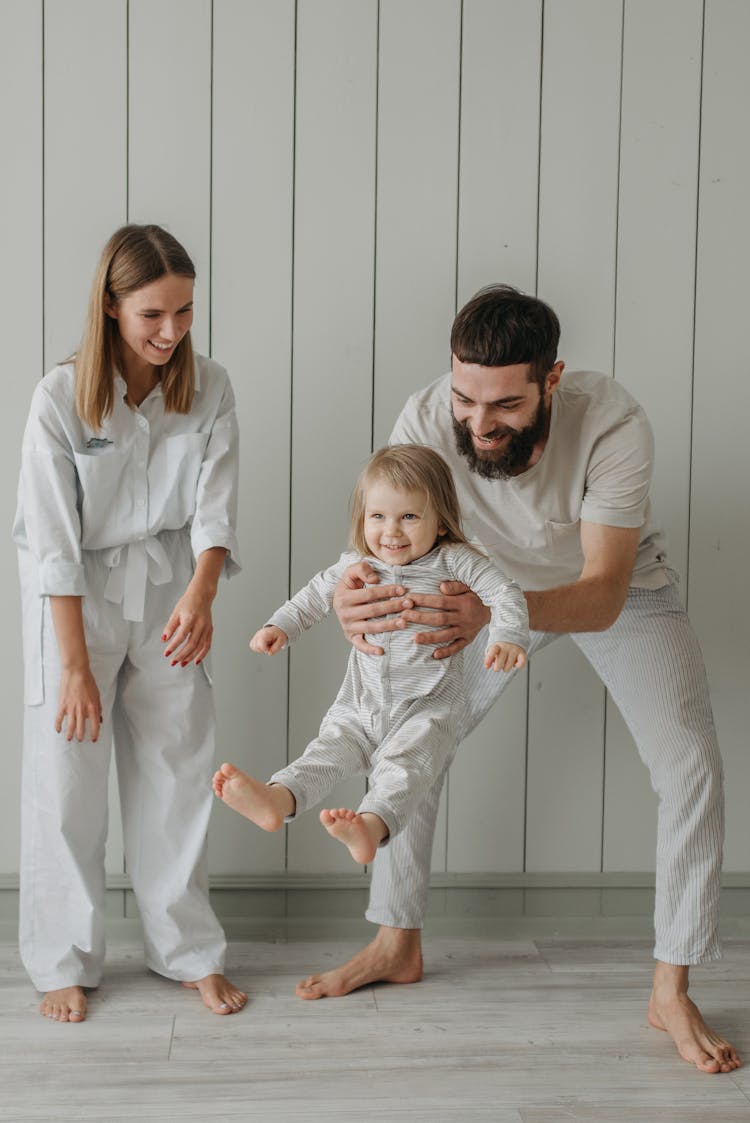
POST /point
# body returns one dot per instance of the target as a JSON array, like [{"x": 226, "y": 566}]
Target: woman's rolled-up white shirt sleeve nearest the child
[{"x": 216, "y": 501}]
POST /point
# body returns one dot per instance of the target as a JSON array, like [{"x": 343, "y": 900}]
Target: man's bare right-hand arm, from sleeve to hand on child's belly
[{"x": 591, "y": 604}]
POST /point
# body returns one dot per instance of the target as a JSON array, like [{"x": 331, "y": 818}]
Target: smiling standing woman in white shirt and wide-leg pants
[{"x": 125, "y": 523}]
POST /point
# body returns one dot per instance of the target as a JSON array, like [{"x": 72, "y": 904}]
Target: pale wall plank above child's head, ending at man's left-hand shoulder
[{"x": 417, "y": 212}]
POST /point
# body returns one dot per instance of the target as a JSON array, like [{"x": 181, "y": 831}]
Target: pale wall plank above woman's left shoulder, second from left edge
[{"x": 86, "y": 186}]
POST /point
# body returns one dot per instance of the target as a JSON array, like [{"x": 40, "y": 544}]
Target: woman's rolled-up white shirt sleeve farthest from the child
[{"x": 50, "y": 500}]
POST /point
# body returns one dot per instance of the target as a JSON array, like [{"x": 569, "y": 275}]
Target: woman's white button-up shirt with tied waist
[{"x": 115, "y": 490}]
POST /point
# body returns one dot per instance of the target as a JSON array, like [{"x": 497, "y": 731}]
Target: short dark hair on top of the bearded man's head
[{"x": 501, "y": 326}]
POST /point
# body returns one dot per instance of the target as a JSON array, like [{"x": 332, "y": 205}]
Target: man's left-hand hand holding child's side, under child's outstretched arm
[{"x": 361, "y": 604}]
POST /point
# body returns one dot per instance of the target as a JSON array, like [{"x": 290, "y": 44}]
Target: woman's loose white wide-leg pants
[{"x": 161, "y": 722}]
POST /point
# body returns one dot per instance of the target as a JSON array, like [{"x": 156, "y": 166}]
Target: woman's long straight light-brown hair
[{"x": 133, "y": 258}]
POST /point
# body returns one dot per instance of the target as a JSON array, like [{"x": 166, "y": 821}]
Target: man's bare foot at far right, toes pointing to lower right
[{"x": 672, "y": 1010}]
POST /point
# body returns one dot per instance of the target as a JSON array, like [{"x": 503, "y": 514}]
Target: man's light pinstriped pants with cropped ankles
[{"x": 652, "y": 664}]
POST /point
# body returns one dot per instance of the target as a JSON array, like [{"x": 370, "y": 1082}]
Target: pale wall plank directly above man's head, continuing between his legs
[{"x": 501, "y": 68}]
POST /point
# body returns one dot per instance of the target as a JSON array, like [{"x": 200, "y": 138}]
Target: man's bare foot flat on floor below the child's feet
[{"x": 395, "y": 956}]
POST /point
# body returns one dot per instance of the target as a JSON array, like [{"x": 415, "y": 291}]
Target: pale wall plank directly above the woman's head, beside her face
[{"x": 170, "y": 131}]
